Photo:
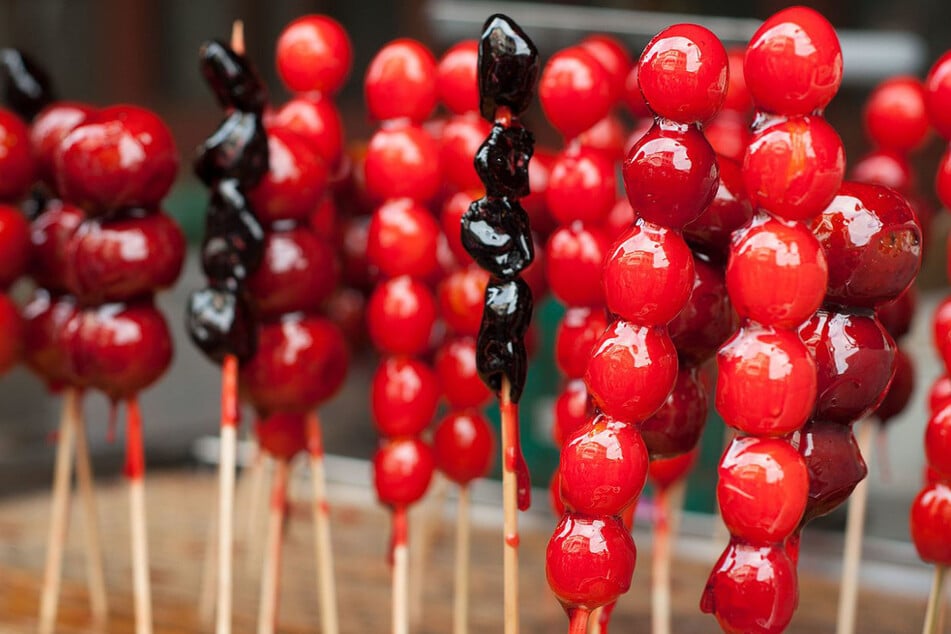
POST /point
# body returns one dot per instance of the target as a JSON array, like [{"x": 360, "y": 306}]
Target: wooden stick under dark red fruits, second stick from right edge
[{"x": 854, "y": 527}]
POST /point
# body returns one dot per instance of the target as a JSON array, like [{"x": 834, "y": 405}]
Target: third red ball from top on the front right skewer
[{"x": 777, "y": 272}]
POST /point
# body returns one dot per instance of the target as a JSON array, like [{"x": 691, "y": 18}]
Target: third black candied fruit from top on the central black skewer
[{"x": 496, "y": 234}]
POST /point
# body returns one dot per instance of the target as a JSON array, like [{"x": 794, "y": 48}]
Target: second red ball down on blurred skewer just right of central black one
[{"x": 581, "y": 186}]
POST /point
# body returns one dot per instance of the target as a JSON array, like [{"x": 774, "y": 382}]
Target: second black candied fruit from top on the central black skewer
[{"x": 502, "y": 161}]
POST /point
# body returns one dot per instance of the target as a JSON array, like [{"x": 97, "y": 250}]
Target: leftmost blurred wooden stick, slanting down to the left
[{"x": 59, "y": 518}]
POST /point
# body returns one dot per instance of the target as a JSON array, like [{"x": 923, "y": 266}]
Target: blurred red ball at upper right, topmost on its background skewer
[{"x": 894, "y": 114}]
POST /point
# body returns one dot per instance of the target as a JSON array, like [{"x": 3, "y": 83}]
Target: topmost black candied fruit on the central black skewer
[{"x": 508, "y": 67}]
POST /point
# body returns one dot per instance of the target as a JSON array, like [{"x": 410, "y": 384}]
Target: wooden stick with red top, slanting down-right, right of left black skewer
[{"x": 326, "y": 584}]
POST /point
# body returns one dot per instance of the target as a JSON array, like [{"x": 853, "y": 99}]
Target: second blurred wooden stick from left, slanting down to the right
[{"x": 95, "y": 574}]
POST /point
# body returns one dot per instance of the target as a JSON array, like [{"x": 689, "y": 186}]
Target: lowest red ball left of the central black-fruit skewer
[{"x": 402, "y": 469}]
